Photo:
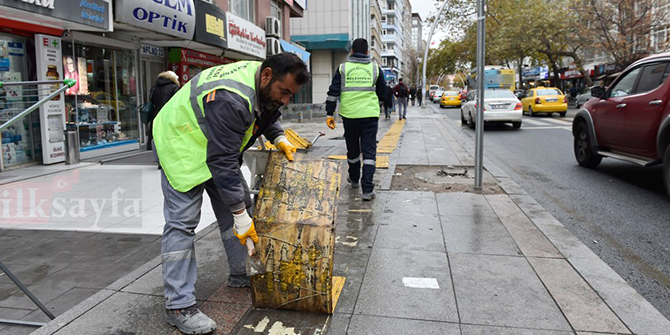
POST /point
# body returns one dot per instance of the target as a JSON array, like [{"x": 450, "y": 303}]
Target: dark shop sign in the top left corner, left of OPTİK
[{"x": 94, "y": 13}]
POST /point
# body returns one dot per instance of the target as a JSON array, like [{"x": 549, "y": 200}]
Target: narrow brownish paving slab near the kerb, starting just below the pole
[{"x": 527, "y": 236}]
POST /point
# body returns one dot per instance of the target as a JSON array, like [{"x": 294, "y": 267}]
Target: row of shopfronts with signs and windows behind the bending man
[{"x": 115, "y": 52}]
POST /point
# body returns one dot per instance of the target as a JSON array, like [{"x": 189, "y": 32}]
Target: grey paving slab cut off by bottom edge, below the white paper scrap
[{"x": 364, "y": 324}]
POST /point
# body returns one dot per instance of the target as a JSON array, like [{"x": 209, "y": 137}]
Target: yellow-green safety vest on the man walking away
[{"x": 358, "y": 98}]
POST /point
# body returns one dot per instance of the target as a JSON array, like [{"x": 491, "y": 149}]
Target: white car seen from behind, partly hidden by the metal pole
[{"x": 500, "y": 106}]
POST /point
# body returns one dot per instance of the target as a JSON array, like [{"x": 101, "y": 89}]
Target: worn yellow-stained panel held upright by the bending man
[{"x": 294, "y": 218}]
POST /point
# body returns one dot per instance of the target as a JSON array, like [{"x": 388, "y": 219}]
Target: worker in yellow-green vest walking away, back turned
[{"x": 360, "y": 86}]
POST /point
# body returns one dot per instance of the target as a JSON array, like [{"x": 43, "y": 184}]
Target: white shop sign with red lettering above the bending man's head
[{"x": 245, "y": 37}]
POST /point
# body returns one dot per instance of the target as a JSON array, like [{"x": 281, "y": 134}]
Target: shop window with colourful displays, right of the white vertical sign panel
[{"x": 103, "y": 103}]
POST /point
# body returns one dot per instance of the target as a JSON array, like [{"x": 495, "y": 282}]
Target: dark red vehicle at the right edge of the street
[{"x": 629, "y": 120}]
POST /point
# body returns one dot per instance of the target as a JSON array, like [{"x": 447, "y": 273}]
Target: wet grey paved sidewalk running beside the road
[{"x": 428, "y": 256}]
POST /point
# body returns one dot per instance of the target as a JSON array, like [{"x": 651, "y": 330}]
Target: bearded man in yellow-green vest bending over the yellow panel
[{"x": 199, "y": 137}]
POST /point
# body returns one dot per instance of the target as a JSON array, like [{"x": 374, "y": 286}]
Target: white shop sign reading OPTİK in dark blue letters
[{"x": 170, "y": 17}]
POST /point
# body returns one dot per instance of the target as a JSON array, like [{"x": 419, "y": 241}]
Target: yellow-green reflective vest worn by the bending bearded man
[{"x": 180, "y": 134}]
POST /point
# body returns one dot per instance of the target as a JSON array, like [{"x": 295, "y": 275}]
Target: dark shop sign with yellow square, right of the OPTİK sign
[{"x": 210, "y": 27}]
